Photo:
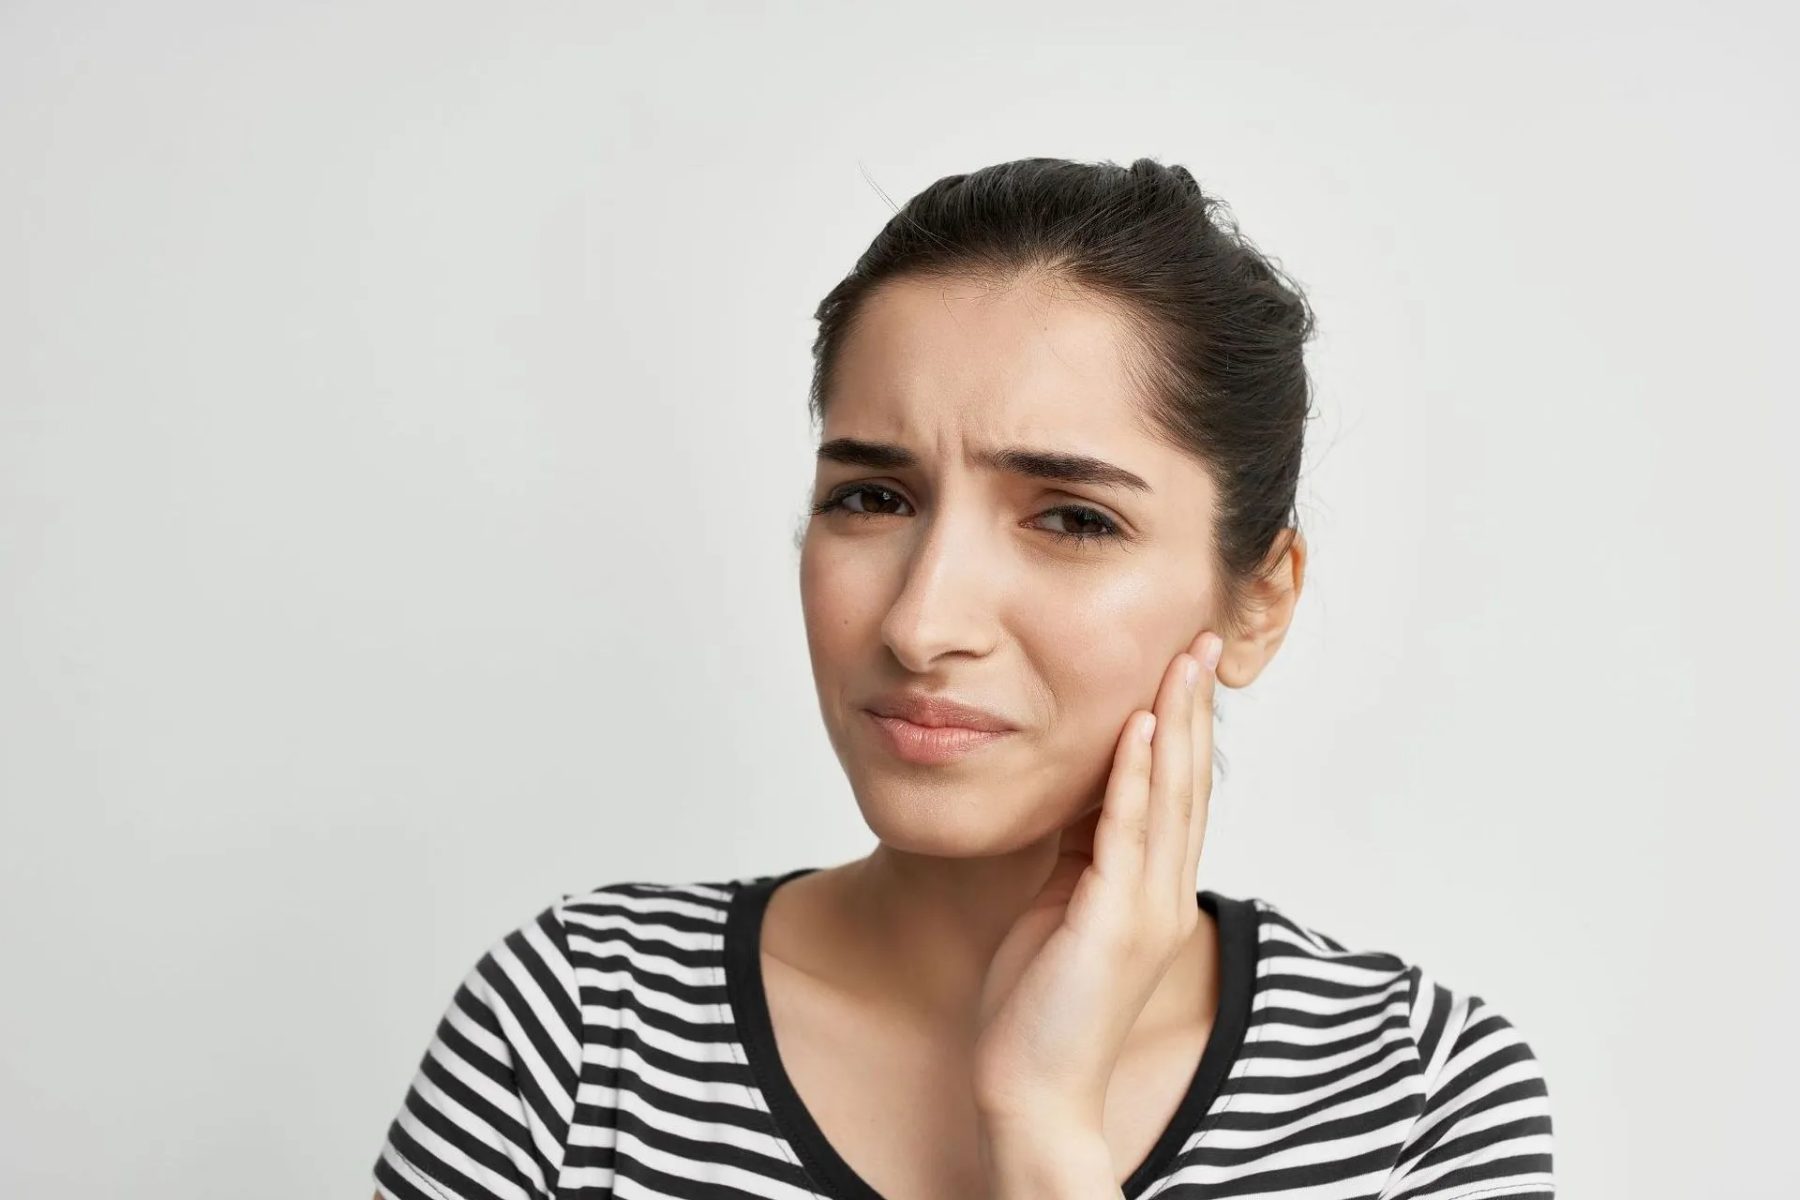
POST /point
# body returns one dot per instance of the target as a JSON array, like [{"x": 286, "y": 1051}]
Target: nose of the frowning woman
[{"x": 948, "y": 602}]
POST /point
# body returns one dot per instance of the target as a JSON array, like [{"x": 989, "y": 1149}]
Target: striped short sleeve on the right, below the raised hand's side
[{"x": 1486, "y": 1127}]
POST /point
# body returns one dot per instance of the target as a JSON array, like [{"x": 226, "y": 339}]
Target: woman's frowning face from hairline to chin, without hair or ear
[{"x": 946, "y": 573}]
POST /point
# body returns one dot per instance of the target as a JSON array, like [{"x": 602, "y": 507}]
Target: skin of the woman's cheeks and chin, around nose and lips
[{"x": 1090, "y": 640}]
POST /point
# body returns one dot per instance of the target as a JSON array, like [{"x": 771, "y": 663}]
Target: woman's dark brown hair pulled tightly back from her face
[{"x": 1219, "y": 328}]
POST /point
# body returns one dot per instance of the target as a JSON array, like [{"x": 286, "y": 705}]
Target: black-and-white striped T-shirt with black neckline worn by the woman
[{"x": 620, "y": 1044}]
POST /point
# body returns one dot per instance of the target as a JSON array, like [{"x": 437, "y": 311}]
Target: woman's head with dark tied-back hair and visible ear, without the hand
[{"x": 1063, "y": 411}]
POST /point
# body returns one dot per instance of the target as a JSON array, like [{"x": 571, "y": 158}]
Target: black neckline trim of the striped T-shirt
[{"x": 750, "y": 1005}]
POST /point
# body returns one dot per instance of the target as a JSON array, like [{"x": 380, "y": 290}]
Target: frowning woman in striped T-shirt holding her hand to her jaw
[{"x": 1063, "y": 413}]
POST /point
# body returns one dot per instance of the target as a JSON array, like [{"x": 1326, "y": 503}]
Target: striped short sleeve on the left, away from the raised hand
[{"x": 487, "y": 1116}]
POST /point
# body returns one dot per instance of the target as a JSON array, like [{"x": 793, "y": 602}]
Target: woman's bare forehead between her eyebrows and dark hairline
[{"x": 960, "y": 361}]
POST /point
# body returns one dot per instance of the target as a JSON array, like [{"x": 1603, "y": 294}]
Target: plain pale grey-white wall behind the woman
[{"x": 402, "y": 440}]
